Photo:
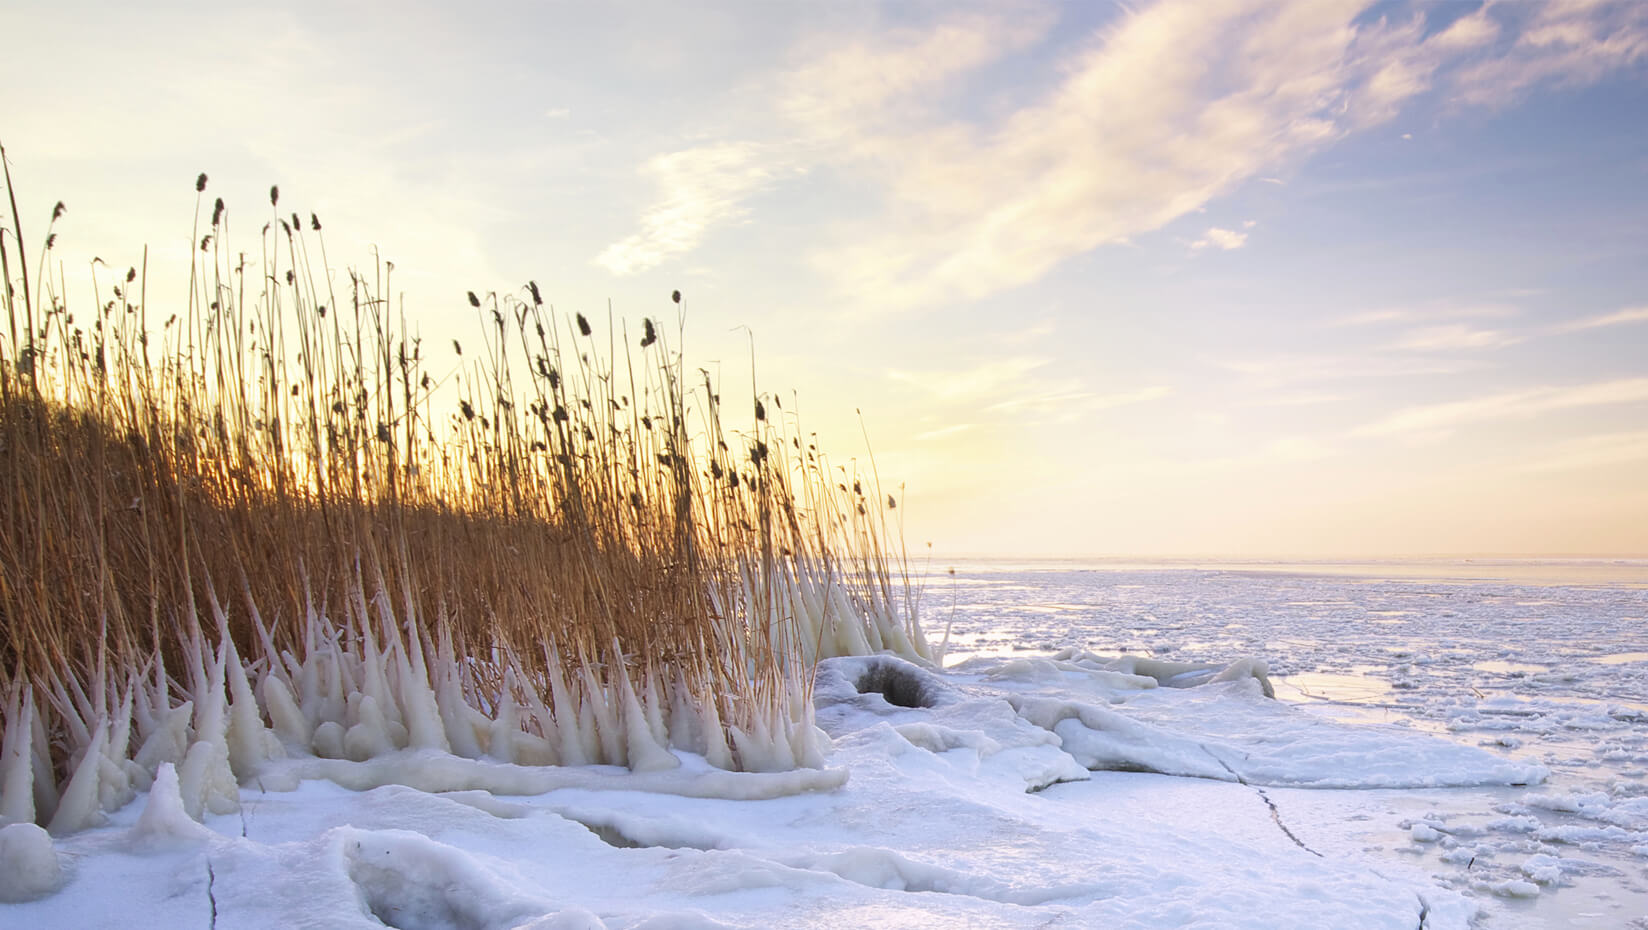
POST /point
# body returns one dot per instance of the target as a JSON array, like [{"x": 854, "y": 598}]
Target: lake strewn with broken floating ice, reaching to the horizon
[{"x": 1538, "y": 662}]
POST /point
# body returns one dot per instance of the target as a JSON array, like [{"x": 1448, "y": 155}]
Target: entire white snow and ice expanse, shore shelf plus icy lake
[{"x": 1443, "y": 753}]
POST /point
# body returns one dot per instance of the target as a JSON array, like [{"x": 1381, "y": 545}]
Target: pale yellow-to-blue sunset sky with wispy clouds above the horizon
[{"x": 1191, "y": 278}]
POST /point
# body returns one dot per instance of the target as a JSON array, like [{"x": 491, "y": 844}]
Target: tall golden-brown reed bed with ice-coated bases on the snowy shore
[{"x": 265, "y": 525}]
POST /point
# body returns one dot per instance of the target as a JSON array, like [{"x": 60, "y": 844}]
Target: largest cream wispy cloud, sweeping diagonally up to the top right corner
[{"x": 1154, "y": 116}]
